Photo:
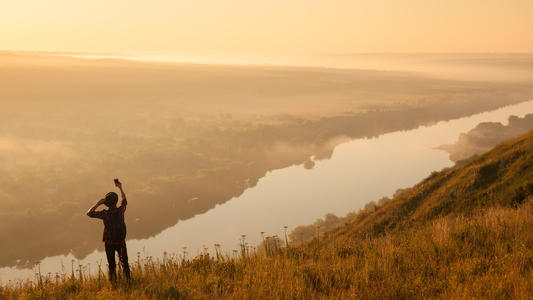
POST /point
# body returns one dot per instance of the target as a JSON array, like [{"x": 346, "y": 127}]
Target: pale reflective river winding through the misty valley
[{"x": 359, "y": 171}]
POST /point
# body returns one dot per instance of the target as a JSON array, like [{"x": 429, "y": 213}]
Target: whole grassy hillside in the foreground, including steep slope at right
[{"x": 464, "y": 232}]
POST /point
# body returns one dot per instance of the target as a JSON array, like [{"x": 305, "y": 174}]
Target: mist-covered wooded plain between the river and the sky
[{"x": 184, "y": 138}]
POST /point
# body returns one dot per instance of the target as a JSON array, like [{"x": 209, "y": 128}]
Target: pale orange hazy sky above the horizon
[{"x": 266, "y": 27}]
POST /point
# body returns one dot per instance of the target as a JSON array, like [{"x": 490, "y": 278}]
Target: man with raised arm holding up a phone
[{"x": 114, "y": 230}]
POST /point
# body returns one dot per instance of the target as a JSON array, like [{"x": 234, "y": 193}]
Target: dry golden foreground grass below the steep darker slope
[{"x": 487, "y": 255}]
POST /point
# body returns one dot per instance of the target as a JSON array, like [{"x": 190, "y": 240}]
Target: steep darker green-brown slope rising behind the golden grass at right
[{"x": 502, "y": 177}]
